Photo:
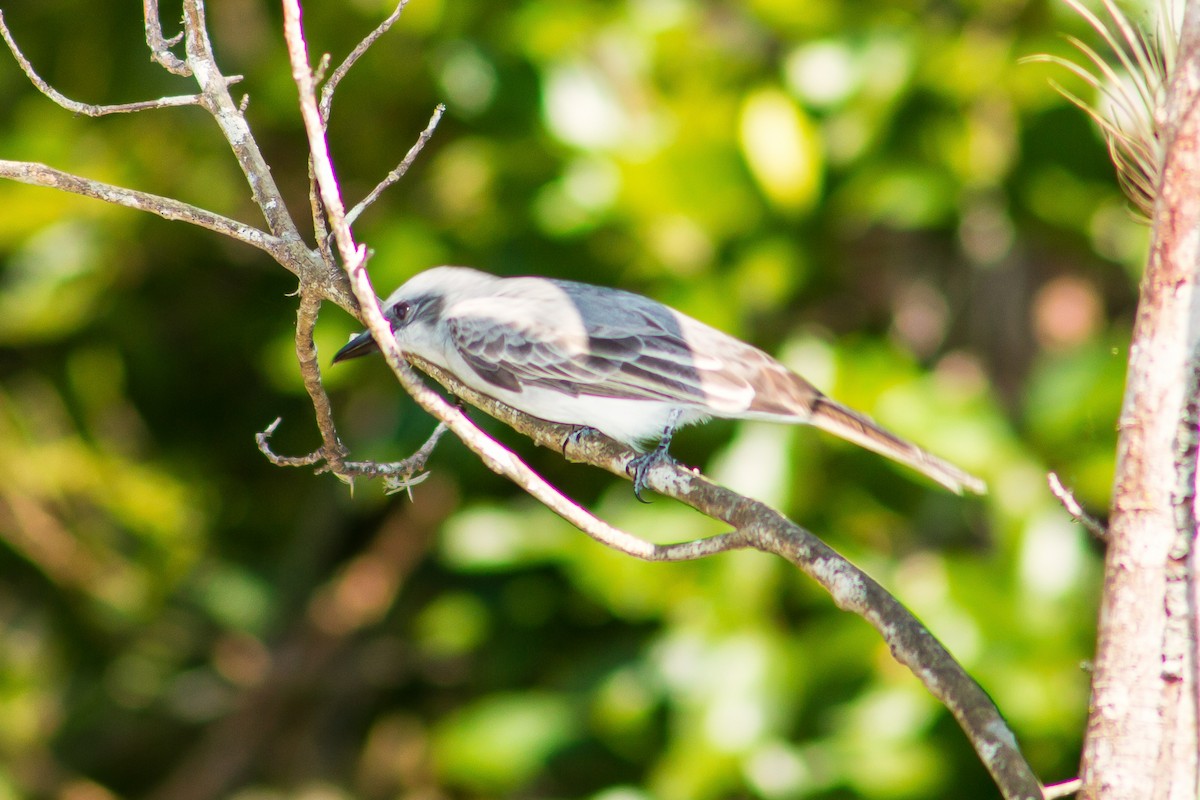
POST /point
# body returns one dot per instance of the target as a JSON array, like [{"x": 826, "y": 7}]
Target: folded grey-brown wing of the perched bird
[{"x": 633, "y": 351}]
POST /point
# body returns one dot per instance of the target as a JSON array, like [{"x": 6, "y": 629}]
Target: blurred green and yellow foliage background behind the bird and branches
[{"x": 875, "y": 191}]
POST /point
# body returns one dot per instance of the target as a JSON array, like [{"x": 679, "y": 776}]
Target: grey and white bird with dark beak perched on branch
[{"x": 614, "y": 362}]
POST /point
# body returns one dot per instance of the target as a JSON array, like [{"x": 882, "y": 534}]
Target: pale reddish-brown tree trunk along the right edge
[{"x": 1142, "y": 735}]
